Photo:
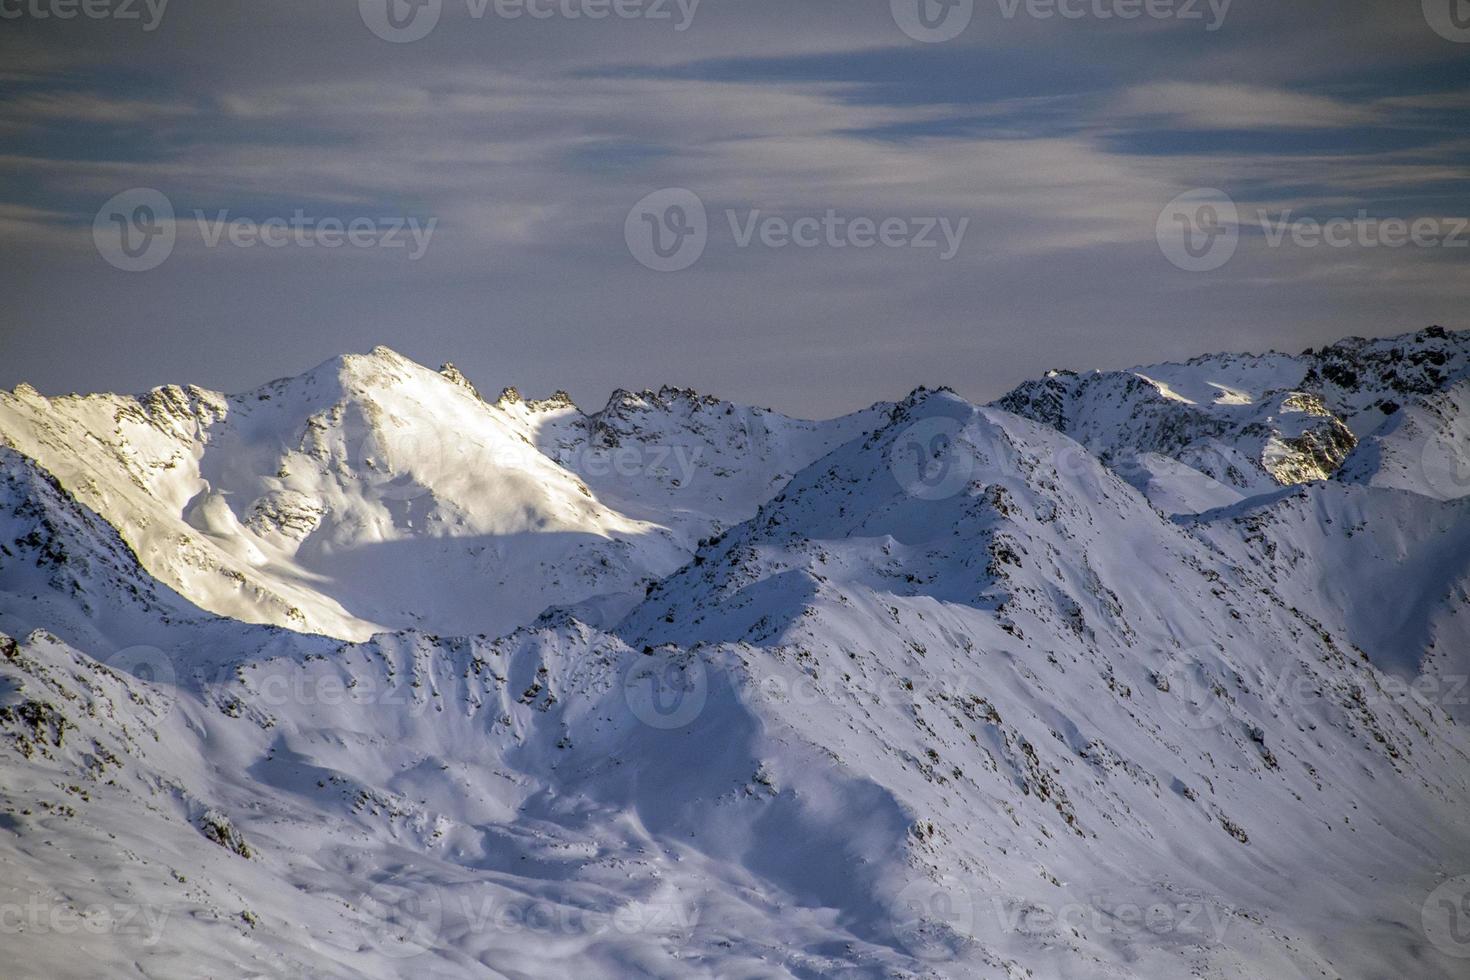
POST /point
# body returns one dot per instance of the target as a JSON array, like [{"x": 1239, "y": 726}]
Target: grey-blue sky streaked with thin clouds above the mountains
[{"x": 881, "y": 193}]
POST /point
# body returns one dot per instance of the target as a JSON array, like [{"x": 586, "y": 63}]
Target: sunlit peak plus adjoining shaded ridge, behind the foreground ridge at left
[{"x": 376, "y": 494}]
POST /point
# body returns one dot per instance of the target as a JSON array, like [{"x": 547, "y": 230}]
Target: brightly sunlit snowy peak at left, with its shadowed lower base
[{"x": 365, "y": 494}]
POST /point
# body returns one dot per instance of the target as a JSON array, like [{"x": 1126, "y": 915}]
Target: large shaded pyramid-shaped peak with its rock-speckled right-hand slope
[{"x": 1072, "y": 705}]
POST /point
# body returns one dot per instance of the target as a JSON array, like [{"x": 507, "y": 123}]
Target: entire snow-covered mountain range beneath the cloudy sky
[{"x": 925, "y": 691}]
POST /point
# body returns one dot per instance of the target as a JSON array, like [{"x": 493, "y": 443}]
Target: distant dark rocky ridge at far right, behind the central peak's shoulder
[{"x": 1241, "y": 424}]
